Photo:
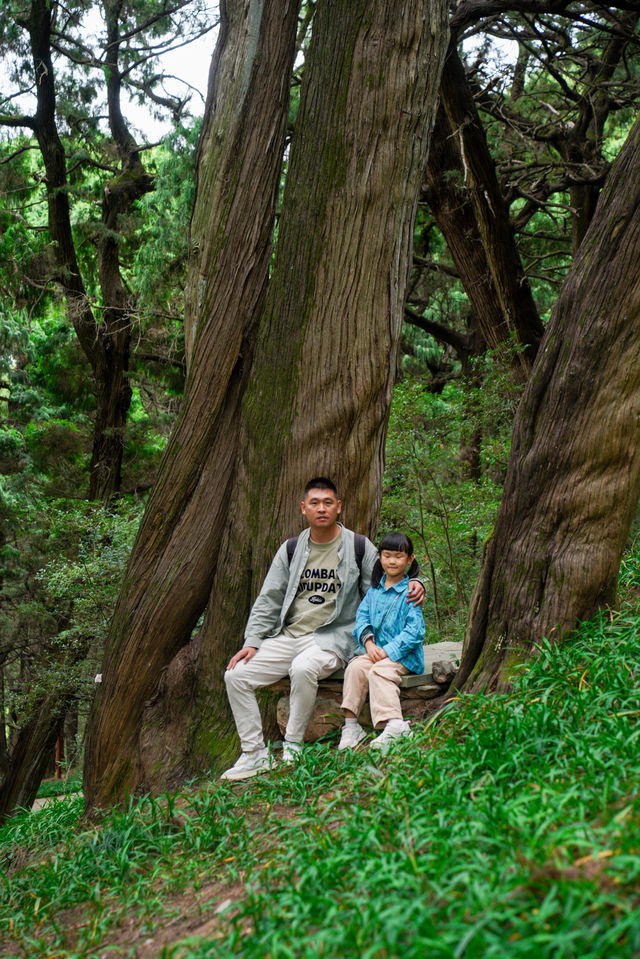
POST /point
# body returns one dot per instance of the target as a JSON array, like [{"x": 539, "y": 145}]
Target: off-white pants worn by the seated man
[{"x": 305, "y": 663}]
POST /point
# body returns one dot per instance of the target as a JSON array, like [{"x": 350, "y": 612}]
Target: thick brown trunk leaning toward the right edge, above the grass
[{"x": 573, "y": 478}]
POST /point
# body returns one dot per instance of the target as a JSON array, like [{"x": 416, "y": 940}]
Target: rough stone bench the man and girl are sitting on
[{"x": 414, "y": 690}]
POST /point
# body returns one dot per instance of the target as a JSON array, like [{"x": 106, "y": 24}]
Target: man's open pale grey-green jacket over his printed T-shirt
[{"x": 270, "y": 609}]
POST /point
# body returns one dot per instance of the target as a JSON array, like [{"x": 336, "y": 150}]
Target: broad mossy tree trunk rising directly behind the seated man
[{"x": 324, "y": 366}]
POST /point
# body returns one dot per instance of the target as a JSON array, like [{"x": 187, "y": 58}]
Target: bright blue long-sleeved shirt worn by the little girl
[{"x": 397, "y": 626}]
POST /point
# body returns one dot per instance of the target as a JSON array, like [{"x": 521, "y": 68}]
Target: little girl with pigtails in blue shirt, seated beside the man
[{"x": 391, "y": 632}]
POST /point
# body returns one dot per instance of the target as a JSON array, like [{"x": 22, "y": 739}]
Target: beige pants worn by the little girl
[{"x": 381, "y": 680}]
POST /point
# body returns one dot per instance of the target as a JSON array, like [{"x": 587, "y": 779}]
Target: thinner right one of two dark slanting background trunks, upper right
[{"x": 519, "y": 315}]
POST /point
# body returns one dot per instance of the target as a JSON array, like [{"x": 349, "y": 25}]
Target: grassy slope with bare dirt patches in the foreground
[{"x": 508, "y": 826}]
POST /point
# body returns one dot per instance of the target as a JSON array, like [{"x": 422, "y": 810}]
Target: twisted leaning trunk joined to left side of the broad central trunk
[{"x": 171, "y": 568}]
